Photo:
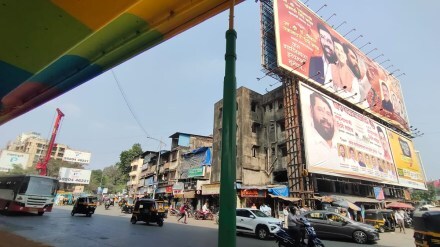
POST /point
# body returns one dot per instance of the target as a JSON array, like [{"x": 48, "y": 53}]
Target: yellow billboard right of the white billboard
[{"x": 408, "y": 166}]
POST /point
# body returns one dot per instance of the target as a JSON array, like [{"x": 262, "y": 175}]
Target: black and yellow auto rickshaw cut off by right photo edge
[{"x": 427, "y": 228}]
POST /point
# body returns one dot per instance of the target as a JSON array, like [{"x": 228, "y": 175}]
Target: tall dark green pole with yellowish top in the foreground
[{"x": 228, "y": 198}]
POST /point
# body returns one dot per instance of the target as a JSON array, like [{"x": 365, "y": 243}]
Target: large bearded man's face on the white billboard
[{"x": 323, "y": 119}]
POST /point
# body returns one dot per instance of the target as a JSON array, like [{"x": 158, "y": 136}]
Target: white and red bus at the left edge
[{"x": 27, "y": 193}]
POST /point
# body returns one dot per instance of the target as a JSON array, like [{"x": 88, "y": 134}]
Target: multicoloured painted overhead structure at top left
[{"x": 49, "y": 47}]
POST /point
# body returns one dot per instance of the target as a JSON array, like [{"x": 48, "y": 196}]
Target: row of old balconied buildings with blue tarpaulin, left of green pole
[{"x": 181, "y": 171}]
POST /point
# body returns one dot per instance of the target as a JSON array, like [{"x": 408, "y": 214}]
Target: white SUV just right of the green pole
[{"x": 256, "y": 222}]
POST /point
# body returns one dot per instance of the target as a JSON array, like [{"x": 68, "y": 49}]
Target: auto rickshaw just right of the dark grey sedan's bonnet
[{"x": 381, "y": 219}]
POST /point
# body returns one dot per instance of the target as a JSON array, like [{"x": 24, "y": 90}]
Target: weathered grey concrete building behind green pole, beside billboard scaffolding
[{"x": 261, "y": 143}]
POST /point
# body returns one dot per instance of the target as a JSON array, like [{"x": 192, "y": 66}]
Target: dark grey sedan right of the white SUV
[{"x": 333, "y": 225}]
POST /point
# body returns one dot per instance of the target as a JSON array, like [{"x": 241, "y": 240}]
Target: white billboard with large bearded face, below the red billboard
[{"x": 342, "y": 142}]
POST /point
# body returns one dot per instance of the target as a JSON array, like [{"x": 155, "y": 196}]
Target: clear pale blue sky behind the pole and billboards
[{"x": 173, "y": 86}]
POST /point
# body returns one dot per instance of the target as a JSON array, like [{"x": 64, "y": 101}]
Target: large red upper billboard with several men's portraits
[{"x": 310, "y": 48}]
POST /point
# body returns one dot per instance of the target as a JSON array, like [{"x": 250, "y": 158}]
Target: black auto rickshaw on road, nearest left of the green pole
[{"x": 148, "y": 210}]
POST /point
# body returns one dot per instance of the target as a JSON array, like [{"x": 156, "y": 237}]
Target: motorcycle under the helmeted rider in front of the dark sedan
[{"x": 283, "y": 238}]
